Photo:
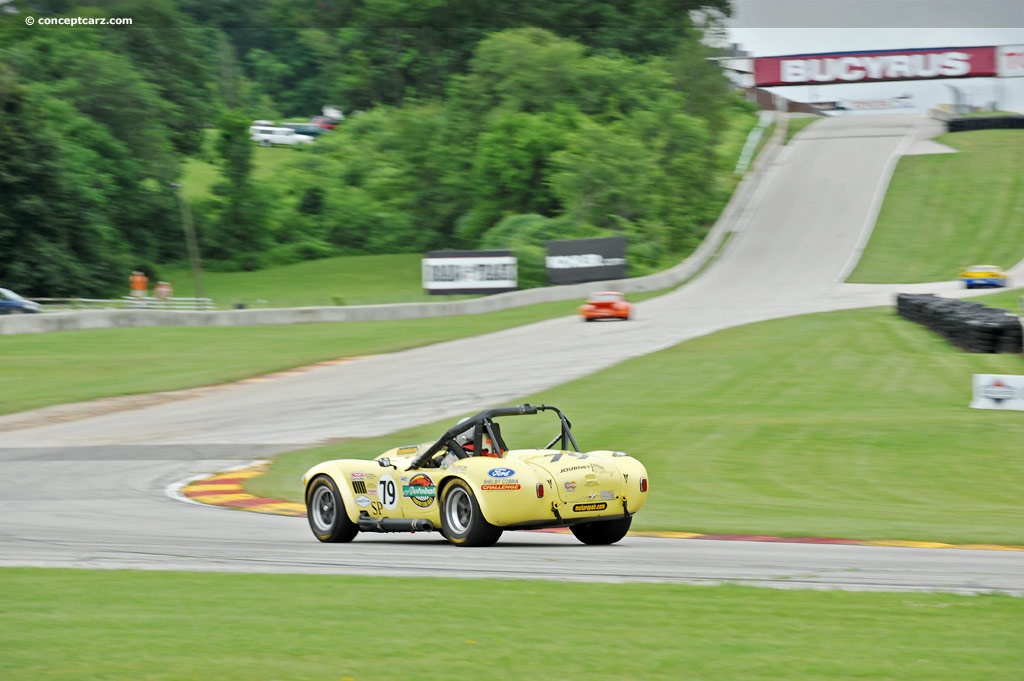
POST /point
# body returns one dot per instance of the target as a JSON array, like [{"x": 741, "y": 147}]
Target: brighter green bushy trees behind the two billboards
[{"x": 583, "y": 144}]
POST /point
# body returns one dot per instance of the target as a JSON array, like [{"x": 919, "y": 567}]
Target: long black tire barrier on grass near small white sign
[{"x": 969, "y": 326}]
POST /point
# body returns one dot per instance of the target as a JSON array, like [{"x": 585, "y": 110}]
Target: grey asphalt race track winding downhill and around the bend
[{"x": 94, "y": 492}]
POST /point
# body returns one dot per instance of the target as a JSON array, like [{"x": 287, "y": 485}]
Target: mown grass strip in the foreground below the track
[{"x": 65, "y": 625}]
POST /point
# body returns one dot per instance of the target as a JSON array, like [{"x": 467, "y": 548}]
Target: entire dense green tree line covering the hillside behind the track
[{"x": 470, "y": 125}]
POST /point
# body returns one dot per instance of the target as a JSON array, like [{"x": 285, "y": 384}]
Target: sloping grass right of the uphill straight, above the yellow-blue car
[{"x": 947, "y": 211}]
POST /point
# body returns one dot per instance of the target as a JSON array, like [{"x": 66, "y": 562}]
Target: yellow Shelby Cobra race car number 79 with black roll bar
[{"x": 471, "y": 487}]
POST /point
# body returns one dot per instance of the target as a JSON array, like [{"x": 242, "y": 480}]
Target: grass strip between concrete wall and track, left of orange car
[{"x": 42, "y": 370}]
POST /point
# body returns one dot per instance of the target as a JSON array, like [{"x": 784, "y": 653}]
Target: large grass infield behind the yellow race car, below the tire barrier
[{"x": 847, "y": 424}]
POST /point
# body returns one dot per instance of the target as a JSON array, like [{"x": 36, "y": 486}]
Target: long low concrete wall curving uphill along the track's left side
[{"x": 113, "y": 319}]
